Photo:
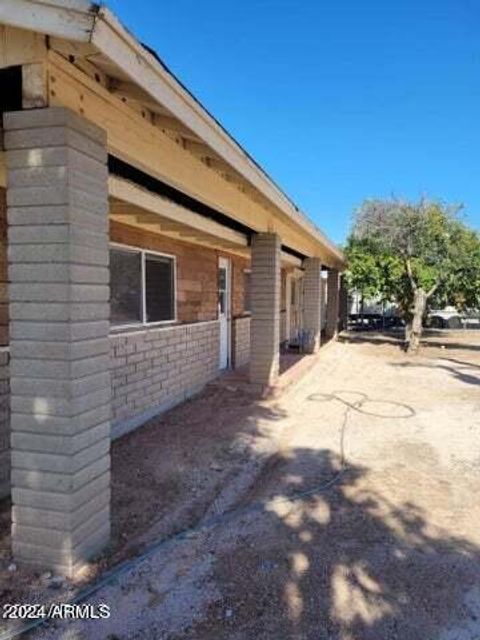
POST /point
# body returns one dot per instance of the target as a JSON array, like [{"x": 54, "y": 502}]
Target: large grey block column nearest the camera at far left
[{"x": 57, "y": 198}]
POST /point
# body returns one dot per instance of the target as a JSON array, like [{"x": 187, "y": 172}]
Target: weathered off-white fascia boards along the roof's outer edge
[{"x": 85, "y": 22}]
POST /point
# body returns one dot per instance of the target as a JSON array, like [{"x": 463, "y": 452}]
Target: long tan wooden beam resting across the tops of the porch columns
[{"x": 138, "y": 142}]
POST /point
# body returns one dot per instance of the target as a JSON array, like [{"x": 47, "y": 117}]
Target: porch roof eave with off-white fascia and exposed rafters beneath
[{"x": 137, "y": 74}]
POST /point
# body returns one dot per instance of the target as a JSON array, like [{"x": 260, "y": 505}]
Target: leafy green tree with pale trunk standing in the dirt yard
[{"x": 415, "y": 253}]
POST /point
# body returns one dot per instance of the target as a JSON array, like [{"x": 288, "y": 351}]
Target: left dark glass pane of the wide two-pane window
[{"x": 125, "y": 286}]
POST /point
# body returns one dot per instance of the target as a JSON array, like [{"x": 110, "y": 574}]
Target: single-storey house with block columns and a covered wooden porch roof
[{"x": 147, "y": 252}]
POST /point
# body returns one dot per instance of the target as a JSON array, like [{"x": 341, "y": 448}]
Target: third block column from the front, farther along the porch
[{"x": 312, "y": 303}]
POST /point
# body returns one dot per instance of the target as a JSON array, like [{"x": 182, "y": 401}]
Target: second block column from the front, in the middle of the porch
[{"x": 265, "y": 303}]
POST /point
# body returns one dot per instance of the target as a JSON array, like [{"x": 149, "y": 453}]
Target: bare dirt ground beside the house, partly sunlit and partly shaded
[{"x": 346, "y": 509}]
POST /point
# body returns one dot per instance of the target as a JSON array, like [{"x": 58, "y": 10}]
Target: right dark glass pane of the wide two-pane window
[{"x": 159, "y": 288}]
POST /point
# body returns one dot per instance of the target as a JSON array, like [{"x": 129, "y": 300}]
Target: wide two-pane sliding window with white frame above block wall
[{"x": 142, "y": 287}]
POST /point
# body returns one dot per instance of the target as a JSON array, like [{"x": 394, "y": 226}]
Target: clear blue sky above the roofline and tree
[{"x": 339, "y": 100}]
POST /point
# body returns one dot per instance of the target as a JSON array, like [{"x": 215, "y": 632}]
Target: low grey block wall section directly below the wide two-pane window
[{"x": 155, "y": 368}]
